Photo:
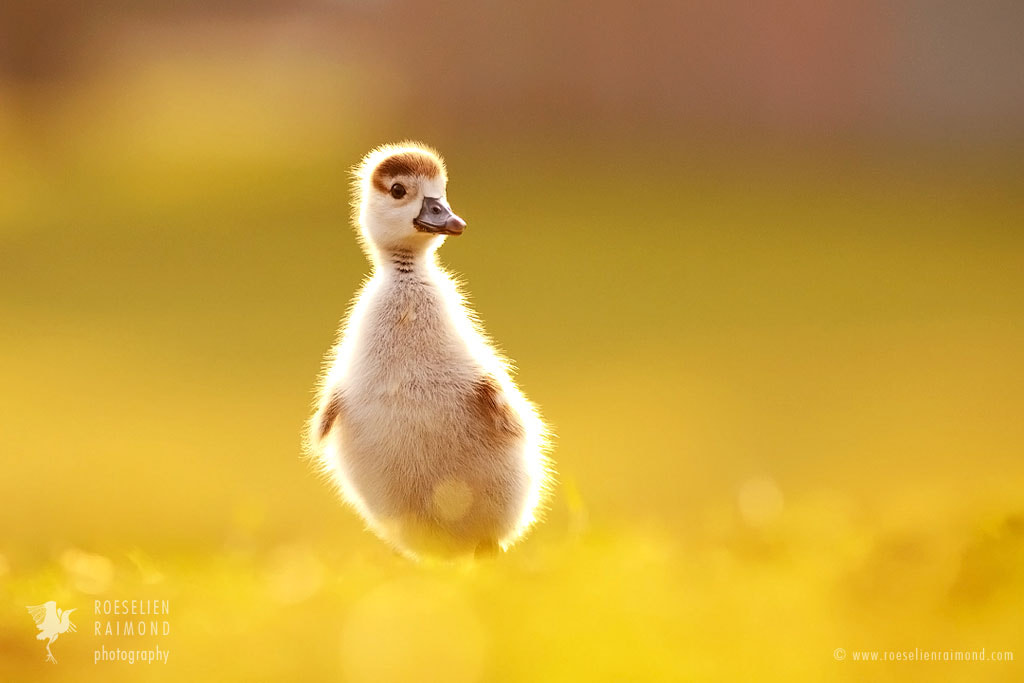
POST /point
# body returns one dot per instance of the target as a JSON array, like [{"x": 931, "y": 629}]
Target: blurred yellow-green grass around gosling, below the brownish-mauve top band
[{"x": 840, "y": 326}]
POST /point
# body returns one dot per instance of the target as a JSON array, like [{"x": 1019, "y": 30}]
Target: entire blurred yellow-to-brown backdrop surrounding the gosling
[{"x": 761, "y": 268}]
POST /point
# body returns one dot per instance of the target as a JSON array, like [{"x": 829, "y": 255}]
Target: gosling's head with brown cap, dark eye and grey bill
[{"x": 401, "y": 199}]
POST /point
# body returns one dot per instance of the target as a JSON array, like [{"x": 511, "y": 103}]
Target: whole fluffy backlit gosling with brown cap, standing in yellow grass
[{"x": 419, "y": 422}]
